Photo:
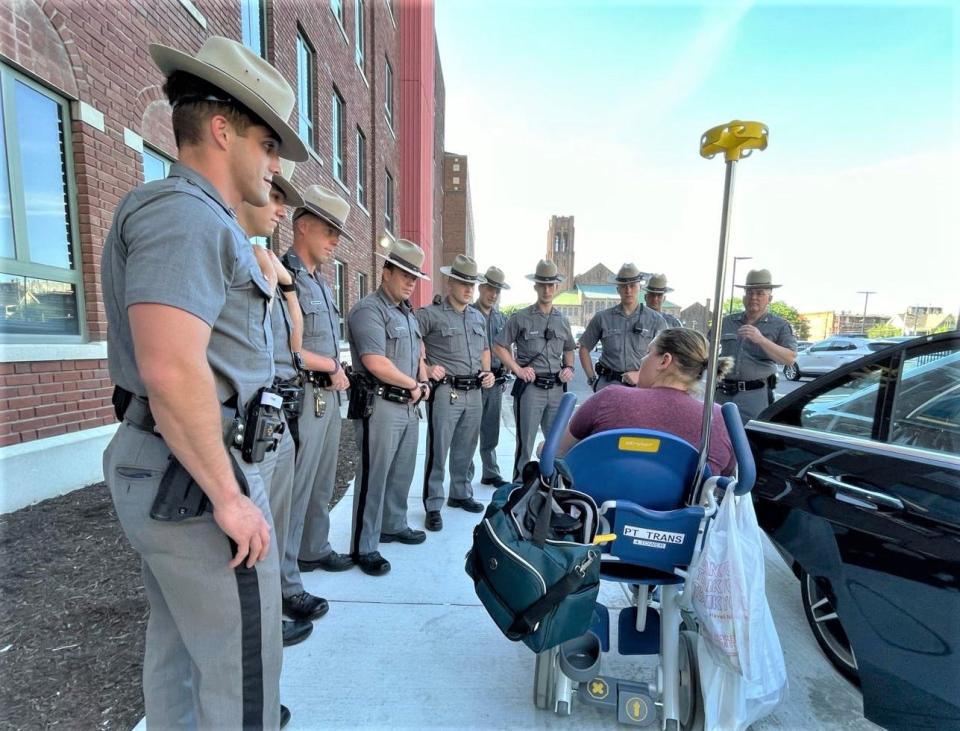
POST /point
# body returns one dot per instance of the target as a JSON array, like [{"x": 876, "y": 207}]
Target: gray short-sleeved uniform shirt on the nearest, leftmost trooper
[{"x": 176, "y": 242}]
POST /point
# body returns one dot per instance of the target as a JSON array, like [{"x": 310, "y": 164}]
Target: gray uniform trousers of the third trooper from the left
[{"x": 318, "y": 456}]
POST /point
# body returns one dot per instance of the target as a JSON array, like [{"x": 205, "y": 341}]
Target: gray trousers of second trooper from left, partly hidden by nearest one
[{"x": 277, "y": 471}]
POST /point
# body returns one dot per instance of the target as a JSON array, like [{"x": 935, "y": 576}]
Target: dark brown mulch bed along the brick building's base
[{"x": 73, "y": 613}]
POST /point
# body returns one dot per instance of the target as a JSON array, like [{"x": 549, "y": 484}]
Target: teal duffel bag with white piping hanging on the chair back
[{"x": 533, "y": 562}]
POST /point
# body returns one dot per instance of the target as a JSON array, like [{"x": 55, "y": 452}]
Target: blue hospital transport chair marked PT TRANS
[{"x": 642, "y": 480}]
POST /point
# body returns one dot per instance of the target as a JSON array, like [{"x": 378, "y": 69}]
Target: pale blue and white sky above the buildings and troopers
[{"x": 595, "y": 109}]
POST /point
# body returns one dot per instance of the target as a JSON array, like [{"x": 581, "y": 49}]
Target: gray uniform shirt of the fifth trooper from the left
[{"x": 454, "y": 340}]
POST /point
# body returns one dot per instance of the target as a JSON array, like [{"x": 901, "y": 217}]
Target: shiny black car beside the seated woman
[{"x": 858, "y": 486}]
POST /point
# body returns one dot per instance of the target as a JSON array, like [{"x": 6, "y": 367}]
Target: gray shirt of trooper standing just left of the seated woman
[{"x": 527, "y": 329}]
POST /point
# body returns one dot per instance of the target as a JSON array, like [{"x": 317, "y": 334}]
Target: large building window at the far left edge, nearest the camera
[{"x": 40, "y": 278}]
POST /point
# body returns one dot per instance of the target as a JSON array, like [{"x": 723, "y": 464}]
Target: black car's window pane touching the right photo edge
[{"x": 926, "y": 407}]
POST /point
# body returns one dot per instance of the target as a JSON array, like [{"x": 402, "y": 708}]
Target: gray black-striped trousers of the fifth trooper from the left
[{"x": 454, "y": 429}]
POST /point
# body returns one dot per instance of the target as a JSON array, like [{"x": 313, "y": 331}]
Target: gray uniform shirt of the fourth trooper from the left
[{"x": 379, "y": 327}]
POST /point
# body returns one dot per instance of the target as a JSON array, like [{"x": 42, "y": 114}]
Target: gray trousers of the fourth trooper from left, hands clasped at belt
[{"x": 388, "y": 453}]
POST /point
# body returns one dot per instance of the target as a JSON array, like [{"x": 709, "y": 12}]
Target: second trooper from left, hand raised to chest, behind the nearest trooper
[{"x": 277, "y": 468}]
